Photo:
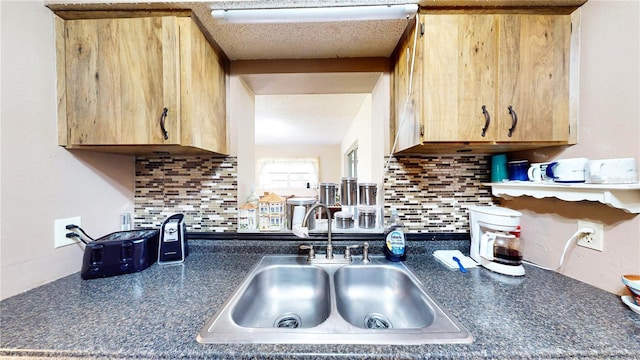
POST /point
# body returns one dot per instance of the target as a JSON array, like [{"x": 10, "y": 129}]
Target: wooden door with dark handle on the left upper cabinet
[{"x": 120, "y": 75}]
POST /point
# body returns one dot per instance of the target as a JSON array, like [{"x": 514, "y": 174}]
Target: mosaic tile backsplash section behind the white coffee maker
[{"x": 431, "y": 193}]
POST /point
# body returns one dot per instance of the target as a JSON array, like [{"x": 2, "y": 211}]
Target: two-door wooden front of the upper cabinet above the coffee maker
[{"x": 492, "y": 82}]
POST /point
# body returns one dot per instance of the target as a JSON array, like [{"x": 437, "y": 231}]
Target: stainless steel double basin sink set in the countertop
[{"x": 287, "y": 300}]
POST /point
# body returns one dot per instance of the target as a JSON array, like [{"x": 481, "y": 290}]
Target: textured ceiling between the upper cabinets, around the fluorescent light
[{"x": 270, "y": 41}]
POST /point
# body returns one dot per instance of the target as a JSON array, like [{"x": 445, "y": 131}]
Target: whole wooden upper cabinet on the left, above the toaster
[{"x": 140, "y": 85}]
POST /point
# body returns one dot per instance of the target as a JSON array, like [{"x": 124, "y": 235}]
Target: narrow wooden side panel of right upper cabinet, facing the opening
[{"x": 407, "y": 90}]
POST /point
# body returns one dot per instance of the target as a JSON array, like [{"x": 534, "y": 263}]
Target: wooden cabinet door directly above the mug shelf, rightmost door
[{"x": 534, "y": 77}]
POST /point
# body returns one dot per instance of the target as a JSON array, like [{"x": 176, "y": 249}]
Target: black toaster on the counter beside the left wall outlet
[{"x": 119, "y": 253}]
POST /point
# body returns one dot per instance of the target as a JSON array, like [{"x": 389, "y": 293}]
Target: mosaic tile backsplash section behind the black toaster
[{"x": 202, "y": 188}]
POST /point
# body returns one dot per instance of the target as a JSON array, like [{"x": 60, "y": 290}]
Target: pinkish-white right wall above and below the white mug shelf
[{"x": 609, "y": 128}]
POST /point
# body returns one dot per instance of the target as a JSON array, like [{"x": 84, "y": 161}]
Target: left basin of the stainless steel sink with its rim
[{"x": 282, "y": 300}]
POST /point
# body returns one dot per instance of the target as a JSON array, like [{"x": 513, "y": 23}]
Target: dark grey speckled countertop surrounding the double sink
[{"x": 157, "y": 313}]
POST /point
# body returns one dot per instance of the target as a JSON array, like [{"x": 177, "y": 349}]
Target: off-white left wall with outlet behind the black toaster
[{"x": 40, "y": 181}]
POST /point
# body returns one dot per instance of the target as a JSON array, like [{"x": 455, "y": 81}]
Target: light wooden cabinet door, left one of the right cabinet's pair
[{"x": 459, "y": 77}]
